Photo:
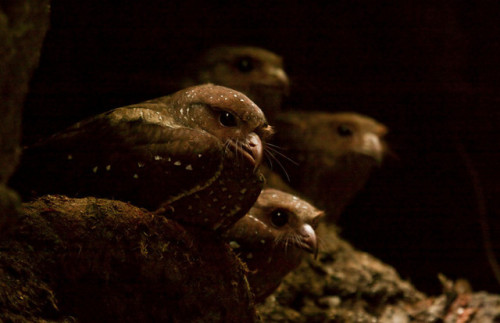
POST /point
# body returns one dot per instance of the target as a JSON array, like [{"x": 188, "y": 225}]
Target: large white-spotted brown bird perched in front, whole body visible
[{"x": 193, "y": 154}]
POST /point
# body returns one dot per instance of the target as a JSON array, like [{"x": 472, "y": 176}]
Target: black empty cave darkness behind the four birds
[{"x": 427, "y": 69}]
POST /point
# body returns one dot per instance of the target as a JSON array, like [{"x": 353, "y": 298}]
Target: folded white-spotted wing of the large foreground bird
[{"x": 137, "y": 153}]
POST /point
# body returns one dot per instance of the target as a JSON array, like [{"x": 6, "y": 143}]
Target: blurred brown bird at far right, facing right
[{"x": 335, "y": 152}]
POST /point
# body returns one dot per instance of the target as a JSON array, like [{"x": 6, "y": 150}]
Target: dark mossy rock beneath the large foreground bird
[{"x": 99, "y": 260}]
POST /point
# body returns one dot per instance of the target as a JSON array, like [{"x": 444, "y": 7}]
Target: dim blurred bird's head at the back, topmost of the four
[{"x": 254, "y": 71}]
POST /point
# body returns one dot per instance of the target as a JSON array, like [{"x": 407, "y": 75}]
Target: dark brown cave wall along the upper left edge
[{"x": 23, "y": 25}]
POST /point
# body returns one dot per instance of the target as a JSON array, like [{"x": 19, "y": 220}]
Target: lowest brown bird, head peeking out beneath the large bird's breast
[{"x": 273, "y": 238}]
